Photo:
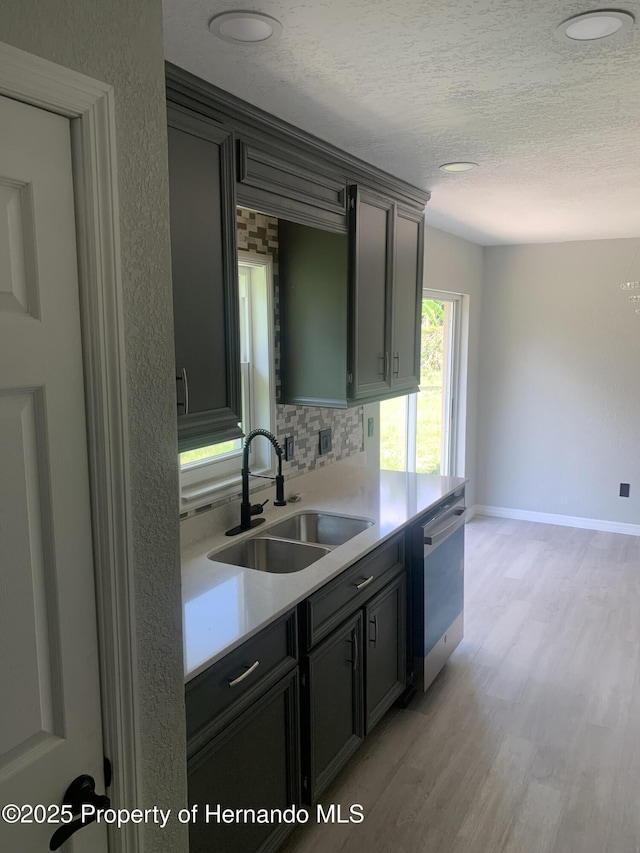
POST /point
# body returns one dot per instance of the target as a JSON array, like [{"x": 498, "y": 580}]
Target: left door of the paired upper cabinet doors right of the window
[{"x": 371, "y": 241}]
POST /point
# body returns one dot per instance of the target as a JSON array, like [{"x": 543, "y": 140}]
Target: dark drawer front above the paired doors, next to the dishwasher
[{"x": 328, "y": 607}]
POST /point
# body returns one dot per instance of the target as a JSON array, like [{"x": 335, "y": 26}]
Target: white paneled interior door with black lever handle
[{"x": 50, "y": 723}]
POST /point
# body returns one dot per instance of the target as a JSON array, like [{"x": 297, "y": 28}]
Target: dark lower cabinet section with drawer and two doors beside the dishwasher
[{"x": 354, "y": 631}]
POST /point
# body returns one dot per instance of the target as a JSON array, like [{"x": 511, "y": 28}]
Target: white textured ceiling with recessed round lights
[{"x": 410, "y": 84}]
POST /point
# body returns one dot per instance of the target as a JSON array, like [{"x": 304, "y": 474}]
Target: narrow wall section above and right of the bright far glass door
[{"x": 455, "y": 265}]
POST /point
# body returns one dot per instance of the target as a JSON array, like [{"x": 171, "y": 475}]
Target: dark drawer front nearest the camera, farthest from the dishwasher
[{"x": 216, "y": 695}]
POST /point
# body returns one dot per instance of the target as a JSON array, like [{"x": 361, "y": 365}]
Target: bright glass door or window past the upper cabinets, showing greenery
[{"x": 417, "y": 432}]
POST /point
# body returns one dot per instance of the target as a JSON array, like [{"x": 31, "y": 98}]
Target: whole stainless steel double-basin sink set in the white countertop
[{"x": 292, "y": 545}]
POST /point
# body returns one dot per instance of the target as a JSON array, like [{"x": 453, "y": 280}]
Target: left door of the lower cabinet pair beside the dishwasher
[{"x": 333, "y": 704}]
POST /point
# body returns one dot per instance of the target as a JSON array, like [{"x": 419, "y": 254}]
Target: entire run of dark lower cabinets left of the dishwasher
[{"x": 264, "y": 732}]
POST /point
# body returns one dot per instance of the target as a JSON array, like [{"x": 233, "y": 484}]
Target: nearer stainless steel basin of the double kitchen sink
[{"x": 270, "y": 555}]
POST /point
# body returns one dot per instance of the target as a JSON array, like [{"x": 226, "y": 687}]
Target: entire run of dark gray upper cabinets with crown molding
[{"x": 350, "y": 251}]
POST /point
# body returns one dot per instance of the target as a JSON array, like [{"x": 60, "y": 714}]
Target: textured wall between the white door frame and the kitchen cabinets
[{"x": 120, "y": 42}]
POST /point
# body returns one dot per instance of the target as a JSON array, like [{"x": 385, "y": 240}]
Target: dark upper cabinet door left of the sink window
[{"x": 205, "y": 280}]
